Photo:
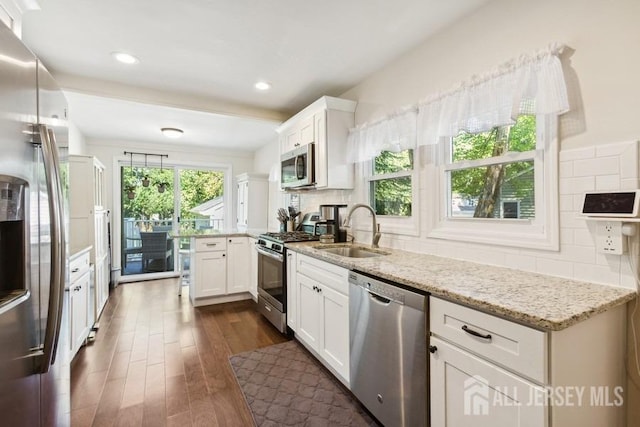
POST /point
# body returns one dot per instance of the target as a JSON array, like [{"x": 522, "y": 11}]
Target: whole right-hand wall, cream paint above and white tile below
[{"x": 604, "y": 64}]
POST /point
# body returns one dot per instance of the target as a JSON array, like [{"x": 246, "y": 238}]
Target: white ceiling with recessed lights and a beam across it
[{"x": 199, "y": 59}]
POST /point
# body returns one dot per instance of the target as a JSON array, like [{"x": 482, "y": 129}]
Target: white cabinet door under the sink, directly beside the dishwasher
[{"x": 334, "y": 330}]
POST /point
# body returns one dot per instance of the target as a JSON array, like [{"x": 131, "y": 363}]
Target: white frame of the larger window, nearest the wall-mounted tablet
[{"x": 541, "y": 232}]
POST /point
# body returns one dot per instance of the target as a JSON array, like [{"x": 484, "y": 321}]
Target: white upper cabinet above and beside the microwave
[{"x": 326, "y": 123}]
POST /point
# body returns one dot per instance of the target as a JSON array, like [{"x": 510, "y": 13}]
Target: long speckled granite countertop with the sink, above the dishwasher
[{"x": 544, "y": 302}]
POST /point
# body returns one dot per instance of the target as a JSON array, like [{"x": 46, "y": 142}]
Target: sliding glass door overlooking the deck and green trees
[{"x": 157, "y": 203}]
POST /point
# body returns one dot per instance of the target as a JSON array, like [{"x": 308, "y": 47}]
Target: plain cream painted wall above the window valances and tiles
[{"x": 603, "y": 33}]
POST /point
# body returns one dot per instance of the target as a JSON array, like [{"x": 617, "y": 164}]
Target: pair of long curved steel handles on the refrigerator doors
[{"x": 56, "y": 293}]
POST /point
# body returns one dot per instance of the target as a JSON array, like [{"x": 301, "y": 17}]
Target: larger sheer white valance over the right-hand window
[{"x": 529, "y": 85}]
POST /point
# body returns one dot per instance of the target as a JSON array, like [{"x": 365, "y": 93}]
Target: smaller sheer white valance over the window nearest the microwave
[{"x": 396, "y": 132}]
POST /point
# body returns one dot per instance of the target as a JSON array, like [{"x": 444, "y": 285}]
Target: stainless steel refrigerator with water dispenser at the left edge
[{"x": 34, "y": 346}]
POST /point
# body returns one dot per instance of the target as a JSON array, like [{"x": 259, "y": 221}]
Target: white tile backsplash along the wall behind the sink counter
[{"x": 597, "y": 168}]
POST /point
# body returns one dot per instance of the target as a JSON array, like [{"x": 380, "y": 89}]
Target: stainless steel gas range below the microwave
[{"x": 272, "y": 277}]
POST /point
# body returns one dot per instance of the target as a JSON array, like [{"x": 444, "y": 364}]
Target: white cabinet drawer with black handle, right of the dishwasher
[{"x": 514, "y": 346}]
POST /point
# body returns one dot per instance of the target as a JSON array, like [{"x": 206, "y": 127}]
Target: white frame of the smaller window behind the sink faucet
[{"x": 394, "y": 224}]
